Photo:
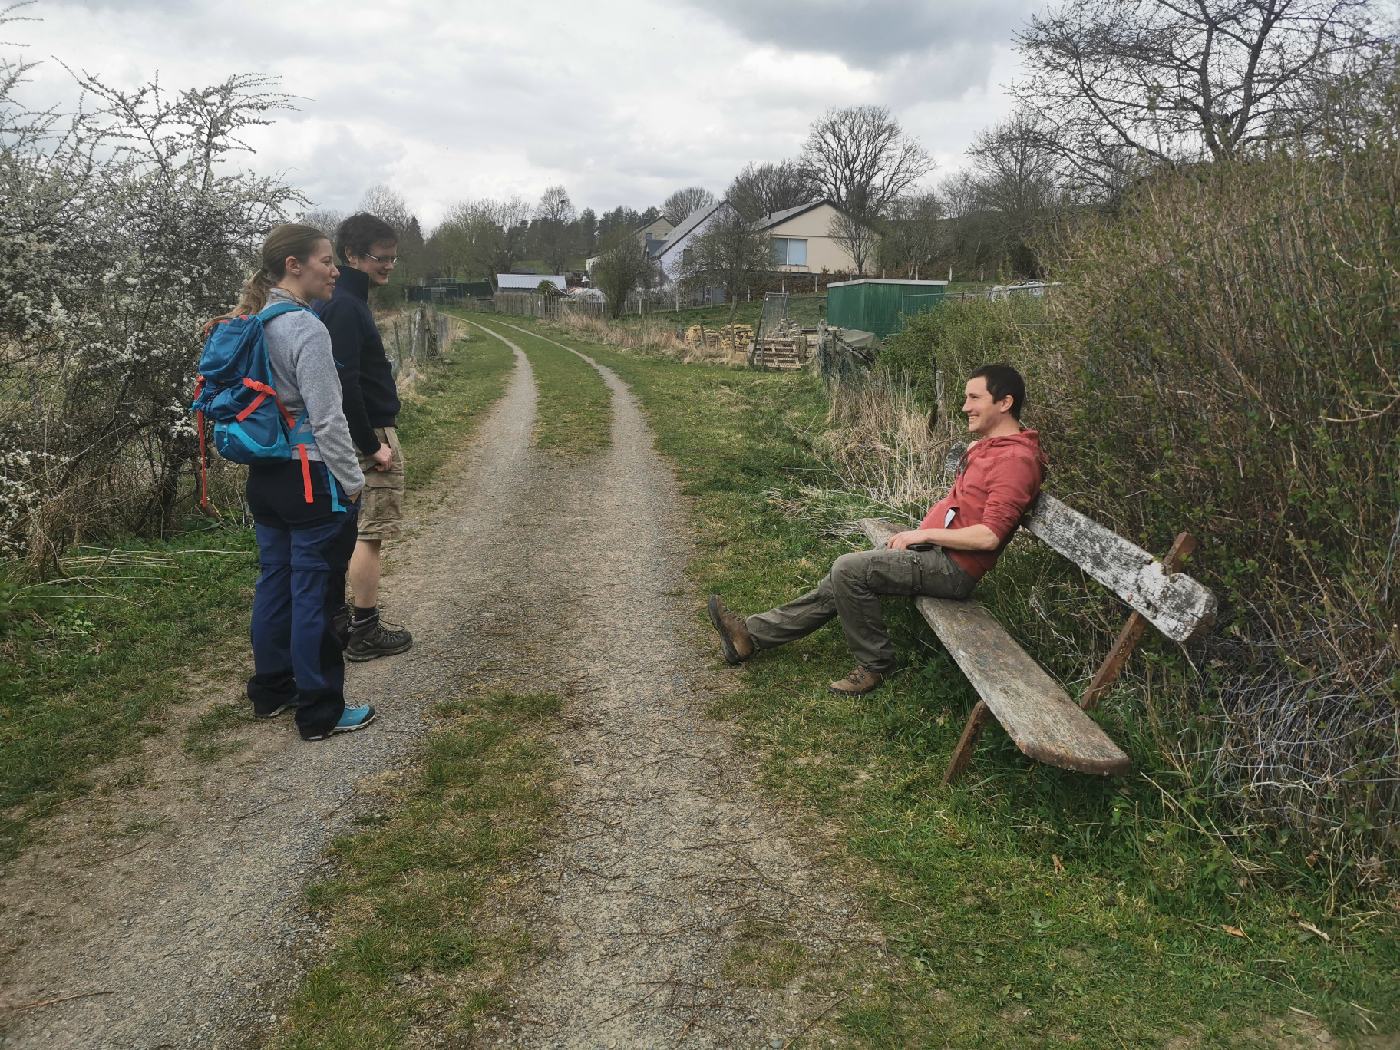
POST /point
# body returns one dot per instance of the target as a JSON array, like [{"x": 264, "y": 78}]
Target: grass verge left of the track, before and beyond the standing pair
[{"x": 90, "y": 663}]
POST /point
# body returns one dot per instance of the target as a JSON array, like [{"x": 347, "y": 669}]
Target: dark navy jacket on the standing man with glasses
[{"x": 366, "y": 376}]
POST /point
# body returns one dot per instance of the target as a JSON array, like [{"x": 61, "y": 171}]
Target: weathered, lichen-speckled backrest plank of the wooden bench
[{"x": 1172, "y": 603}]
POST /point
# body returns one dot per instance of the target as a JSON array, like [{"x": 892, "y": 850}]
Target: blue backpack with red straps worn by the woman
[{"x": 236, "y": 391}]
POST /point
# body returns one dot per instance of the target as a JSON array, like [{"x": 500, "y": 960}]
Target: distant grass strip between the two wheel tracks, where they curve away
[{"x": 573, "y": 412}]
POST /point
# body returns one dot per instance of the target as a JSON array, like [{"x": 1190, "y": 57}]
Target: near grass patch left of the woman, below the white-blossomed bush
[{"x": 89, "y": 666}]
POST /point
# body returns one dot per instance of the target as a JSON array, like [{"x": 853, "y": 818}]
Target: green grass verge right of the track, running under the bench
[{"x": 1030, "y": 906}]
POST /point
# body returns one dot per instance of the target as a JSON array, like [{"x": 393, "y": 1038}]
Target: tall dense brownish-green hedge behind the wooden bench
[{"x": 1224, "y": 358}]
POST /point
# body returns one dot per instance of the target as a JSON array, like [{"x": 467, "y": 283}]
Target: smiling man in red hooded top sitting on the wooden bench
[{"x": 955, "y": 544}]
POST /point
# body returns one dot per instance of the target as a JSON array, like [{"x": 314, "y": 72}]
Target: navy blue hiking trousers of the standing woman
[{"x": 304, "y": 551}]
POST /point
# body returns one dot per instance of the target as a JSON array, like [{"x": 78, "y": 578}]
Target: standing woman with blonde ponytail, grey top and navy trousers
[{"x": 304, "y": 509}]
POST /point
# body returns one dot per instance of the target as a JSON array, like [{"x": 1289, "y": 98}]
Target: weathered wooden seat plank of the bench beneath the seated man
[{"x": 1038, "y": 715}]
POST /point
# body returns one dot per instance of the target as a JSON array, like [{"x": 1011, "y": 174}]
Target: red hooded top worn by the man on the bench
[{"x": 997, "y": 482}]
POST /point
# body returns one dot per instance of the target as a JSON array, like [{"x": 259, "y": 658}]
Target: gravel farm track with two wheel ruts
[{"x": 169, "y": 913}]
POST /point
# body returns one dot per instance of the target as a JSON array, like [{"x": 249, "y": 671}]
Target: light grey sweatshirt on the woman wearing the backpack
[{"x": 304, "y": 373}]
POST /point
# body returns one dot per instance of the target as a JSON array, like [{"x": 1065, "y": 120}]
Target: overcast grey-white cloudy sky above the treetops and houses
[{"x": 619, "y": 101}]
